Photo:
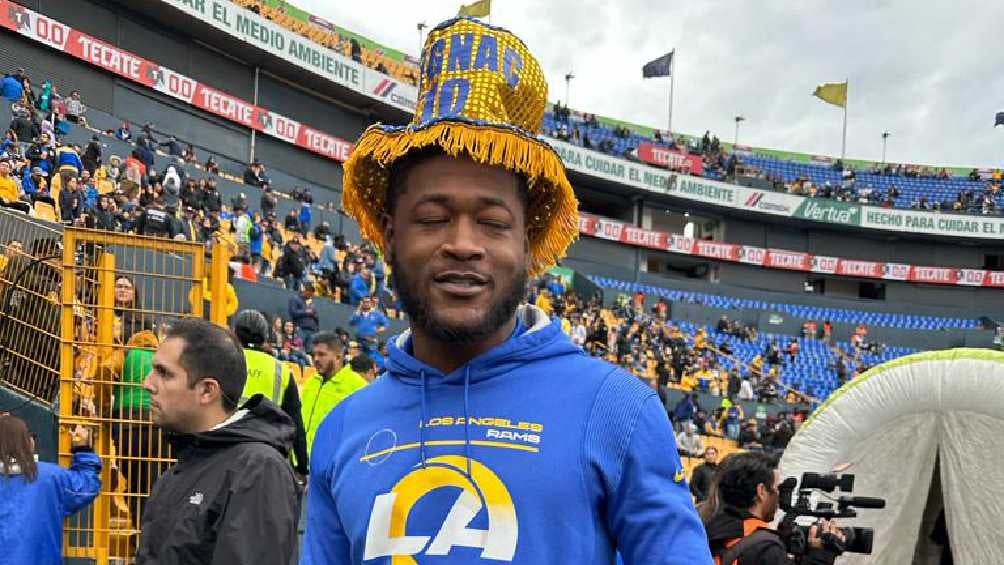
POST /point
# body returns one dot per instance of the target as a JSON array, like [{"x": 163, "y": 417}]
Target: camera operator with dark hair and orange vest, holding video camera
[{"x": 739, "y": 530}]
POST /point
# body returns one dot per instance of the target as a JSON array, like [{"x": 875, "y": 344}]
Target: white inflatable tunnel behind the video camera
[{"x": 925, "y": 432}]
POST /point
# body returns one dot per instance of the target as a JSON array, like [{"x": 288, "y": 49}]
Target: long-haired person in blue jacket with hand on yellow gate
[{"x": 36, "y": 497}]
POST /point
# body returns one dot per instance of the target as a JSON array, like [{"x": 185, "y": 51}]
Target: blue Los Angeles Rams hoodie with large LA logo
[{"x": 533, "y": 453}]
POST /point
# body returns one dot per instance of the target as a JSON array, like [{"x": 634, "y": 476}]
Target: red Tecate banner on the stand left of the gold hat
[{"x": 133, "y": 68}]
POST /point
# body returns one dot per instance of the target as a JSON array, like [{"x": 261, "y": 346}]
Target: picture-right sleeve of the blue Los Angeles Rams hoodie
[{"x": 649, "y": 510}]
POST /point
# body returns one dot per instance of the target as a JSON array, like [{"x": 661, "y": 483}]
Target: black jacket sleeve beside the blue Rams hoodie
[{"x": 260, "y": 521}]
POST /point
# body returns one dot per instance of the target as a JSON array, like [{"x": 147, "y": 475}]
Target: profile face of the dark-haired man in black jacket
[{"x": 173, "y": 405}]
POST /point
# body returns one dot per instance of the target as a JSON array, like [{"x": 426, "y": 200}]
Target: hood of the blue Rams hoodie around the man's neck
[{"x": 543, "y": 340}]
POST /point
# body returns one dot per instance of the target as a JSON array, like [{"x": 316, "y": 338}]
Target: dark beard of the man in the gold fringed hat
[{"x": 415, "y": 304}]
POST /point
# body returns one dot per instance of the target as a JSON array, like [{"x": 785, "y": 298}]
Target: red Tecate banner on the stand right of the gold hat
[{"x": 622, "y": 232}]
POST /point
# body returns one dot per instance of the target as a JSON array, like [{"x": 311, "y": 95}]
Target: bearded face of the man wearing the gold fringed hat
[{"x": 457, "y": 245}]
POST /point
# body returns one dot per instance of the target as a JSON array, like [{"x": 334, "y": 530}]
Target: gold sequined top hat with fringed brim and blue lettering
[{"x": 482, "y": 96}]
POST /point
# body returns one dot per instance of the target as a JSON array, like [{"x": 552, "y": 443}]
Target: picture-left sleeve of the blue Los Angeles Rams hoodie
[{"x": 326, "y": 541}]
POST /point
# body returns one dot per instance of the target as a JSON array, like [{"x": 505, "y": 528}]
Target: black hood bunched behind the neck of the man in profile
[{"x": 263, "y": 422}]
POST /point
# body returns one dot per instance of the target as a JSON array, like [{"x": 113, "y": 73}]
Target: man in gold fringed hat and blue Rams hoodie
[{"x": 491, "y": 438}]
